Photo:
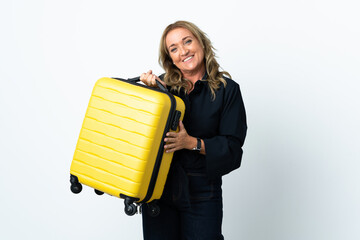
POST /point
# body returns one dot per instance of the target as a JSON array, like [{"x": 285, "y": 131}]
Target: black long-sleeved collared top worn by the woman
[{"x": 221, "y": 123}]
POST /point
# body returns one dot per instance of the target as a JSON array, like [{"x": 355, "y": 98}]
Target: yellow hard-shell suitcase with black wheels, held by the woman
[{"x": 121, "y": 143}]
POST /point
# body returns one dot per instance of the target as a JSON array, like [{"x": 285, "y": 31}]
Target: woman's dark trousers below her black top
[{"x": 190, "y": 208}]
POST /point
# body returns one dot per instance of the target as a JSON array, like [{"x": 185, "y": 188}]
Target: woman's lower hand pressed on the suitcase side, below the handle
[{"x": 179, "y": 140}]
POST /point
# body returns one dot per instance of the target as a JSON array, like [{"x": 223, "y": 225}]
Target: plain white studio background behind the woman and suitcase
[{"x": 297, "y": 63}]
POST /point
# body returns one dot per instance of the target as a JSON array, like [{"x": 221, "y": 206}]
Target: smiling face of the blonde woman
[{"x": 185, "y": 51}]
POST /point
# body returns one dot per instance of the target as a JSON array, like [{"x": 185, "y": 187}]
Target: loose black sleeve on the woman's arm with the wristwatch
[{"x": 224, "y": 151}]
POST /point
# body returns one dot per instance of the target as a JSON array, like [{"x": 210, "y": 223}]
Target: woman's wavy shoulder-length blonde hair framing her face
[{"x": 173, "y": 76}]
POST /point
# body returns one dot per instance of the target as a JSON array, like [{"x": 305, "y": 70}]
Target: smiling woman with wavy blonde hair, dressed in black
[{"x": 209, "y": 142}]
